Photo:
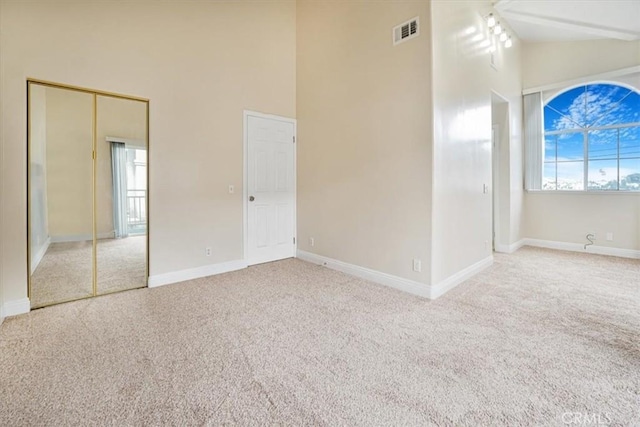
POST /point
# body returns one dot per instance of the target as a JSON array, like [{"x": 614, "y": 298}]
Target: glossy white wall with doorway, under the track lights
[{"x": 463, "y": 81}]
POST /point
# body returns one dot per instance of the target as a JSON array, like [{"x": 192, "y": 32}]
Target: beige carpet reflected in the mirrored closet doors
[{"x": 65, "y": 272}]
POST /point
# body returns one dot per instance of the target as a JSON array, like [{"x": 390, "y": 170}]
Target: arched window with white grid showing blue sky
[{"x": 592, "y": 139}]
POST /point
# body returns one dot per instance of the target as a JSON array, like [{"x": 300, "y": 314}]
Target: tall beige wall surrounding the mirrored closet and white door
[{"x": 199, "y": 63}]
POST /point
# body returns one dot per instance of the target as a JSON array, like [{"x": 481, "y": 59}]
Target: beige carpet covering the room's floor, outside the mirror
[{"x": 539, "y": 335}]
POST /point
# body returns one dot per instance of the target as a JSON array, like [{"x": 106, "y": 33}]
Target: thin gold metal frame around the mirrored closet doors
[{"x": 95, "y": 93}]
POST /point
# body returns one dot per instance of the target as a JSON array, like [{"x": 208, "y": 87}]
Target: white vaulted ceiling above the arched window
[{"x": 558, "y": 20}]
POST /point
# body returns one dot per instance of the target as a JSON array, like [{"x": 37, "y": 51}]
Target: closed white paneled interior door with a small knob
[{"x": 270, "y": 189}]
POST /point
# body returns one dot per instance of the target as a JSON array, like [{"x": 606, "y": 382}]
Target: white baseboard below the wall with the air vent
[{"x": 406, "y": 285}]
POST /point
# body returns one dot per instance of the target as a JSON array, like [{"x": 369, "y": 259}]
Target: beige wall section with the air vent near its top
[{"x": 364, "y": 125}]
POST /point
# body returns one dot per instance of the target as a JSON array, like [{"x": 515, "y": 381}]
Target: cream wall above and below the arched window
[{"x": 567, "y": 218}]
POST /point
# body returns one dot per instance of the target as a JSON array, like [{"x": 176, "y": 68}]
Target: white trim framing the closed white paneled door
[{"x": 245, "y": 176}]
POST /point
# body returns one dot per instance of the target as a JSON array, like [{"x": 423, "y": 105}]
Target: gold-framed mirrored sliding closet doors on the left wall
[{"x": 88, "y": 198}]
